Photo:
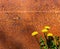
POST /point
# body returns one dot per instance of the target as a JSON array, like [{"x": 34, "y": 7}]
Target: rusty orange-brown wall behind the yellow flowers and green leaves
[{"x": 19, "y": 18}]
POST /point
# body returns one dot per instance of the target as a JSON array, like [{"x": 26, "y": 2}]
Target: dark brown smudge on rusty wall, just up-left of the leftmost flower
[{"x": 28, "y": 29}]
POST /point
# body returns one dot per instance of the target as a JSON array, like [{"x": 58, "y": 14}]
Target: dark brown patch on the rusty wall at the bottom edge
[{"x": 14, "y": 45}]
